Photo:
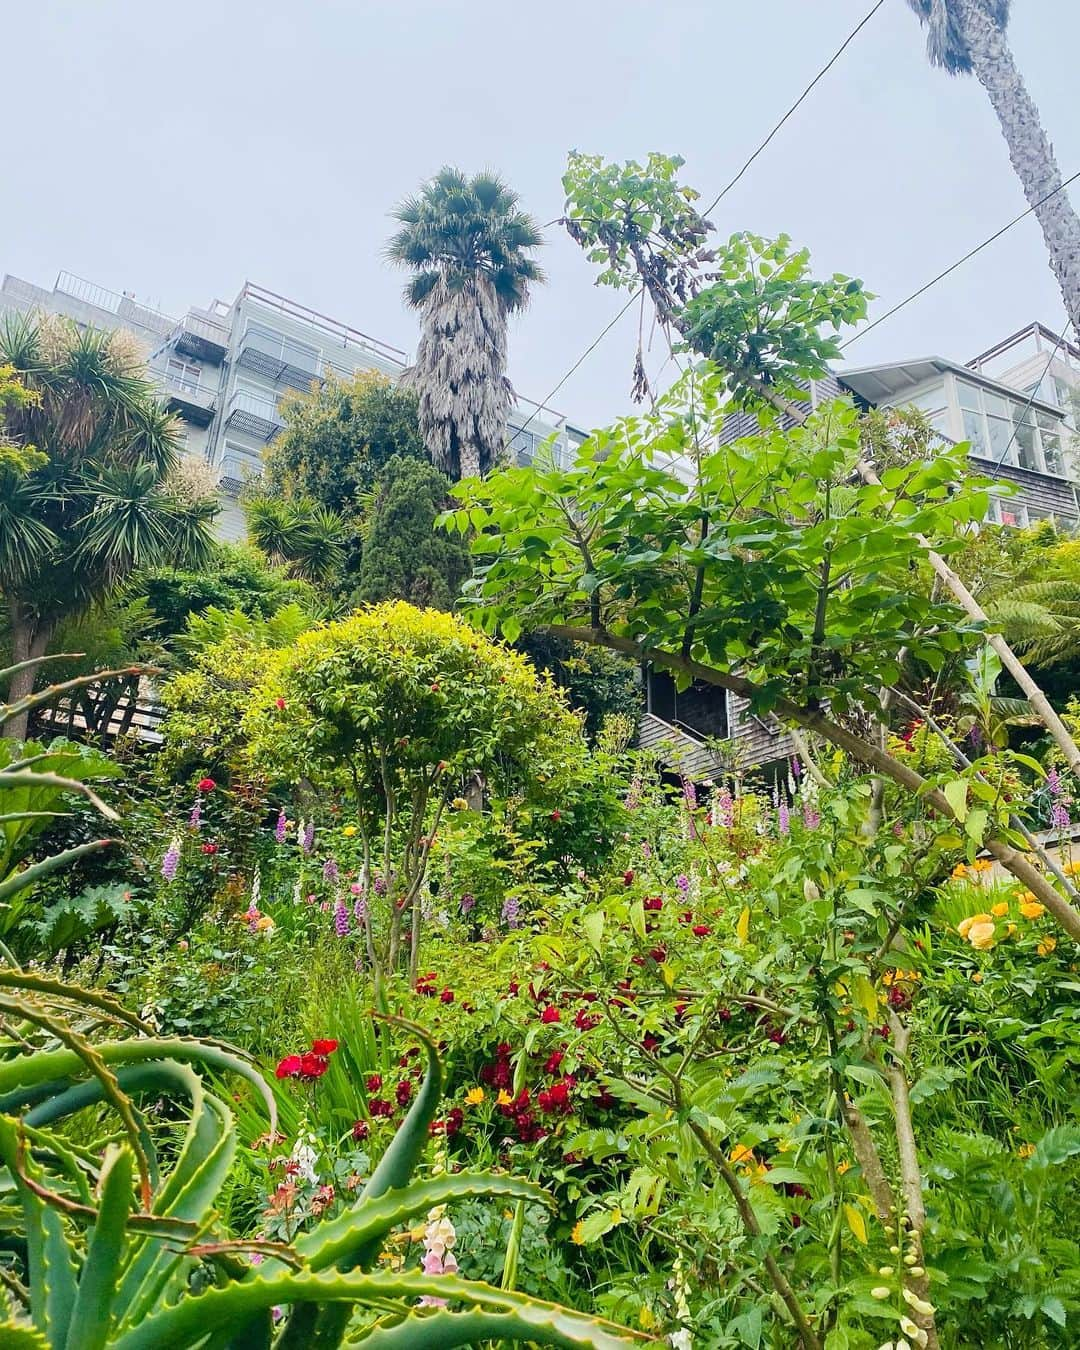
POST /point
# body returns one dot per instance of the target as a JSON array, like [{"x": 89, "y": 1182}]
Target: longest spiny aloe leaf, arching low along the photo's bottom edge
[{"x": 192, "y": 1321}]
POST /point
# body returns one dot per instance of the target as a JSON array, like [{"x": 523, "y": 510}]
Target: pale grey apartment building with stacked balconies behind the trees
[{"x": 226, "y": 368}]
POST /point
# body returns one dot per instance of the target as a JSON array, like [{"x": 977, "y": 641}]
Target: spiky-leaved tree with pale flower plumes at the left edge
[{"x": 94, "y": 500}]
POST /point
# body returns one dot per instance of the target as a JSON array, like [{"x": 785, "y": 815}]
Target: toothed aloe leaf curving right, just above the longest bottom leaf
[{"x": 368, "y": 1222}]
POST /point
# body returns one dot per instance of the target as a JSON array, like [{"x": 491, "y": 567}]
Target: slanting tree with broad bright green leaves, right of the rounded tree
[{"x": 777, "y": 574}]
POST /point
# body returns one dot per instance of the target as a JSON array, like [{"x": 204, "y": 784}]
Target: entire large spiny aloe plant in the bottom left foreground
[{"x": 122, "y": 1253}]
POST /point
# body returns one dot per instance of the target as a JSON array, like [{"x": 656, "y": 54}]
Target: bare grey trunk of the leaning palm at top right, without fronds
[{"x": 1029, "y": 148}]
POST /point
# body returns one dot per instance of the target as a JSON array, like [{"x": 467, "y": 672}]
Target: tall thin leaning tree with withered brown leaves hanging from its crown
[{"x": 751, "y": 308}]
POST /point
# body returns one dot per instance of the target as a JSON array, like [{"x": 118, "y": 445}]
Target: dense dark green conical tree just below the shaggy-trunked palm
[{"x": 404, "y": 556}]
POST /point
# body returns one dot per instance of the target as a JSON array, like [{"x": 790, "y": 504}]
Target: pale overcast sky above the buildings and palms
[{"x": 178, "y": 151}]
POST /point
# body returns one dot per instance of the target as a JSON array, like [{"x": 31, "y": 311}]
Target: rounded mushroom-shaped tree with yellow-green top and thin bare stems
[{"x": 396, "y": 708}]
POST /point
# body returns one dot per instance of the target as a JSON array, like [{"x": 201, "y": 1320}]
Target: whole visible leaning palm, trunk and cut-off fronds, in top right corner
[{"x": 969, "y": 36}]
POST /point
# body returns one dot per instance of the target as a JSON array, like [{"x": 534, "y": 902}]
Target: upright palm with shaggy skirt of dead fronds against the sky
[{"x": 468, "y": 245}]
